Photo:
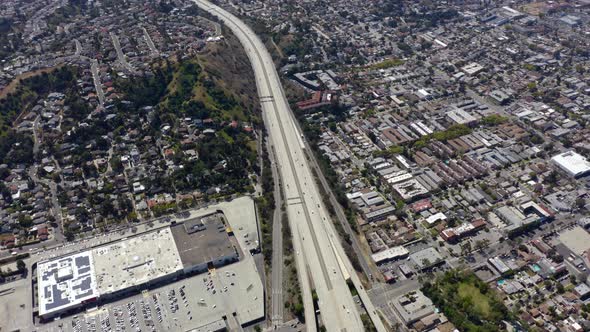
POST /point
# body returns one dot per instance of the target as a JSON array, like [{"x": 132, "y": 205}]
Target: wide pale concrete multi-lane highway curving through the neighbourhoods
[{"x": 321, "y": 262}]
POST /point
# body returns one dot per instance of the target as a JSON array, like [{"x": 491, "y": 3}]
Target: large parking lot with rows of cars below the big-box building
[{"x": 183, "y": 305}]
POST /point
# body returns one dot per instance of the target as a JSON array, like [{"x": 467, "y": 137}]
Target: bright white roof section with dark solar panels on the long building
[{"x": 65, "y": 282}]
